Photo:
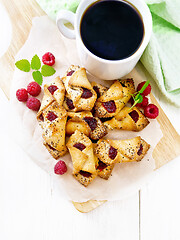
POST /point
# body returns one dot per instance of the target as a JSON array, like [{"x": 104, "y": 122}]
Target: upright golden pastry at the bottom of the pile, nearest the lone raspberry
[{"x": 82, "y": 154}]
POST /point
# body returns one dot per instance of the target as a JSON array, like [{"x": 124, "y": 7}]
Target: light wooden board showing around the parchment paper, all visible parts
[{"x": 21, "y": 13}]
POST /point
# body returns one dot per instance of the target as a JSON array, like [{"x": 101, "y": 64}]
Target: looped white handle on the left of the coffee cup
[{"x": 62, "y": 16}]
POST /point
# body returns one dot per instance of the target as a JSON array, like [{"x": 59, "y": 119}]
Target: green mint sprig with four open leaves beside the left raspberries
[{"x": 35, "y": 65}]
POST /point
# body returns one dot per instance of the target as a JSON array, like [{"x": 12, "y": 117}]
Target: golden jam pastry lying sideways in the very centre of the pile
[{"x": 86, "y": 123}]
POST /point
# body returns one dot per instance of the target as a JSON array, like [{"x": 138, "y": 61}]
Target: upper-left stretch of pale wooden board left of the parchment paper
[{"x": 21, "y": 13}]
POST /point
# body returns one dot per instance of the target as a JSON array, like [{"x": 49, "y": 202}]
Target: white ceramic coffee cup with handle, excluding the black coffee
[{"x": 102, "y": 68}]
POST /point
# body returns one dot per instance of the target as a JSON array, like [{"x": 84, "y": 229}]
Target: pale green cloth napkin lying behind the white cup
[{"x": 162, "y": 55}]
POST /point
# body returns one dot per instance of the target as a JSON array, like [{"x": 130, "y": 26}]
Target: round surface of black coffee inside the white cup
[{"x": 112, "y": 29}]
